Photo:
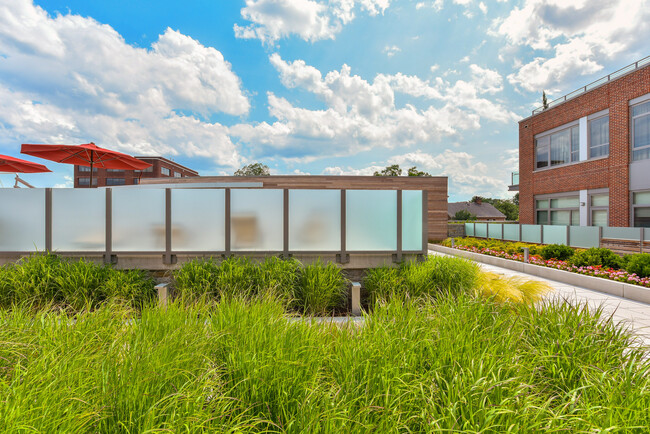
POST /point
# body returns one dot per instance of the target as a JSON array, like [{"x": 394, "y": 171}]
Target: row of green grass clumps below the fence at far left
[{"x": 42, "y": 280}]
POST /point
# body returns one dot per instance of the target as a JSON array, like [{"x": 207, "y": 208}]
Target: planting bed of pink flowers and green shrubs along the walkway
[{"x": 597, "y": 262}]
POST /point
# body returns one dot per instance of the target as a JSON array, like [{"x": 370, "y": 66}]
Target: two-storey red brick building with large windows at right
[{"x": 585, "y": 160}]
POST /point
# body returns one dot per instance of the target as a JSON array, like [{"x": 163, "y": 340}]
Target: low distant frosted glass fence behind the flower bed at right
[{"x": 575, "y": 236}]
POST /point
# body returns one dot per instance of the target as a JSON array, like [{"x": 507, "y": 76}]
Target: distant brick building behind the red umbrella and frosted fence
[{"x": 161, "y": 168}]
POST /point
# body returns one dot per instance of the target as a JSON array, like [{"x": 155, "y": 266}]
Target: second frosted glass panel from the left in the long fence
[{"x": 78, "y": 219}]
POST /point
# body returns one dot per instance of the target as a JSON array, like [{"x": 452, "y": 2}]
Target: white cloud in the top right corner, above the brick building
[{"x": 575, "y": 37}]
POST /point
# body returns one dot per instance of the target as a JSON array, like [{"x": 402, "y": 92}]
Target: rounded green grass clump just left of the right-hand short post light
[{"x": 321, "y": 289}]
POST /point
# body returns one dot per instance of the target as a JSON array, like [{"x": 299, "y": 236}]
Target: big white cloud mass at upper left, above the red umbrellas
[{"x": 131, "y": 96}]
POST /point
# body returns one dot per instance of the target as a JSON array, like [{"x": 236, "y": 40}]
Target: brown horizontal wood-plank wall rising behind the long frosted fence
[{"x": 436, "y": 186}]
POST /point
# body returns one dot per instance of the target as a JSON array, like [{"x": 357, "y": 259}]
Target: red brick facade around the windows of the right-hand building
[{"x": 612, "y": 172}]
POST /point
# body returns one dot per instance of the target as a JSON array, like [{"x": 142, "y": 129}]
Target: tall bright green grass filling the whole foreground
[{"x": 456, "y": 363}]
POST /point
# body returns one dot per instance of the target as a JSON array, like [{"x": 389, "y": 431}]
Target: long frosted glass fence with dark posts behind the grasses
[{"x": 205, "y": 222}]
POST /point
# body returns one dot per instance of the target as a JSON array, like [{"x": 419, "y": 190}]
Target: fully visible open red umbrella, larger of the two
[{"x": 85, "y": 155}]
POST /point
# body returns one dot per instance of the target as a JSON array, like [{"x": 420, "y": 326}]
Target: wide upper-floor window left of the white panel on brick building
[{"x": 561, "y": 147}]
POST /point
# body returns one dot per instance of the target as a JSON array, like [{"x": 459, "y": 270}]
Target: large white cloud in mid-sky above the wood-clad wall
[{"x": 360, "y": 115}]
